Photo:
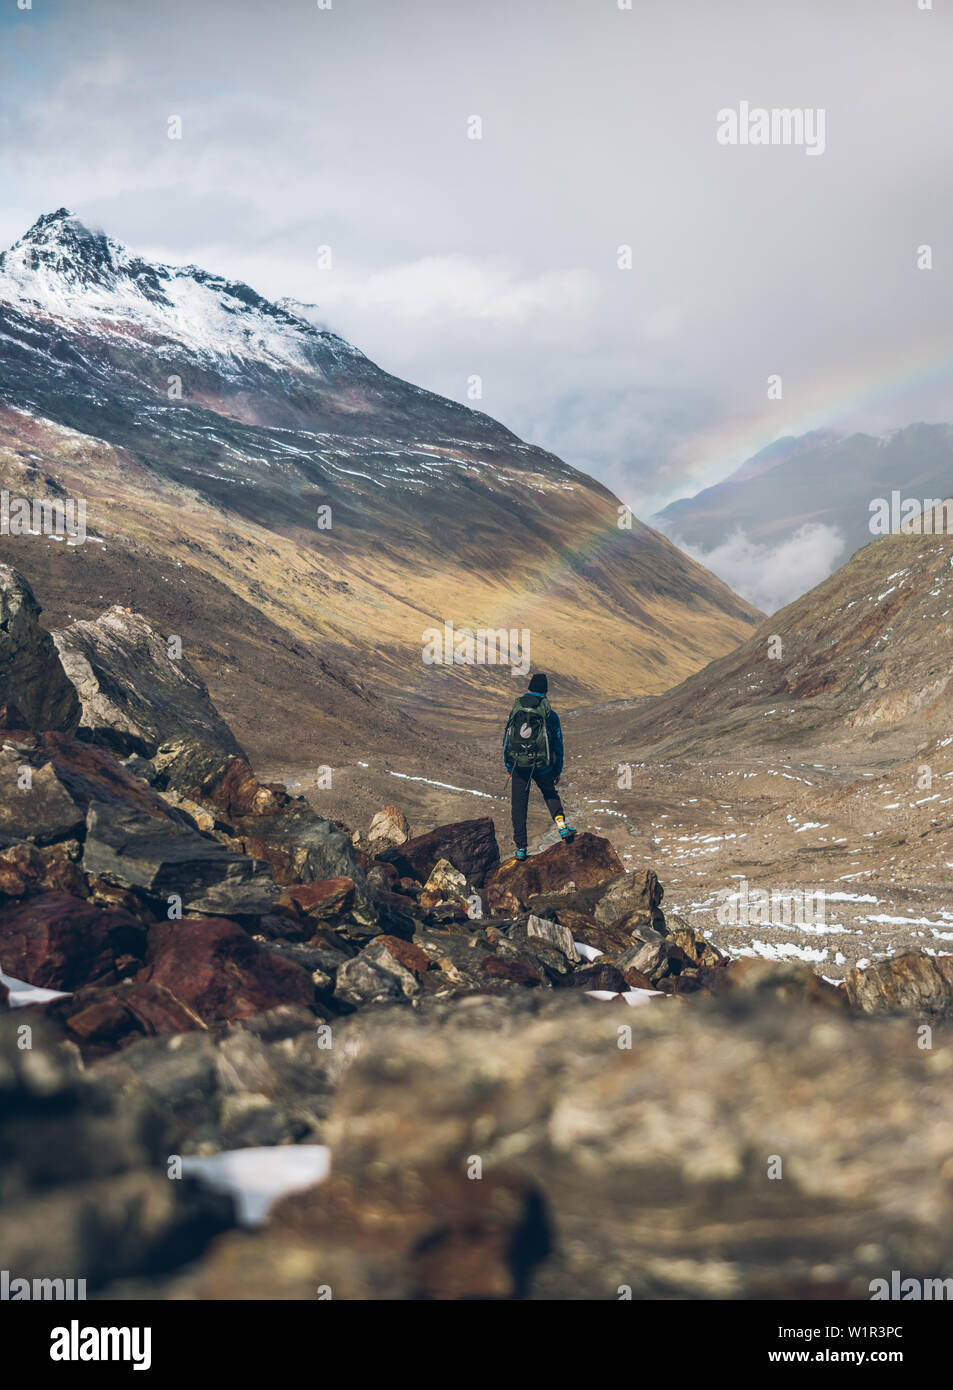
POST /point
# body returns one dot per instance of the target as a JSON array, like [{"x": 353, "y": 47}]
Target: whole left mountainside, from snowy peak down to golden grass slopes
[{"x": 206, "y": 427}]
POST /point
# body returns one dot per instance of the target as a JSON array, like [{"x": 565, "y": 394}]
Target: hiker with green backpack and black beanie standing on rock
[{"x": 533, "y": 751}]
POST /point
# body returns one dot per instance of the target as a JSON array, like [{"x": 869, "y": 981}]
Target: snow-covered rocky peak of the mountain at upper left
[{"x": 65, "y": 270}]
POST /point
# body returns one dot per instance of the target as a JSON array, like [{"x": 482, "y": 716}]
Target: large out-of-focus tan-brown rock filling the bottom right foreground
[{"x": 737, "y": 1150}]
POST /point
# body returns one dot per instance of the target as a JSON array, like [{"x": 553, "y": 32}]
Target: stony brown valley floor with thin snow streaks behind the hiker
[{"x": 843, "y": 862}]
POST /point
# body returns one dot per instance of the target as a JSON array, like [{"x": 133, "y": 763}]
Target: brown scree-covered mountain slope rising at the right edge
[{"x": 863, "y": 658}]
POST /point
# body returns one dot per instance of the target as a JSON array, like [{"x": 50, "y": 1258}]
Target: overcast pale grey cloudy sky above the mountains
[{"x": 498, "y": 258}]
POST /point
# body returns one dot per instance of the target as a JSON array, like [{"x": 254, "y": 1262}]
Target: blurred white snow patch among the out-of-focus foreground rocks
[{"x": 256, "y": 1178}]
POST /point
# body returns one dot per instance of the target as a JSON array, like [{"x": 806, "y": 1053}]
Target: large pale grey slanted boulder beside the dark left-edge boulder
[{"x": 134, "y": 694}]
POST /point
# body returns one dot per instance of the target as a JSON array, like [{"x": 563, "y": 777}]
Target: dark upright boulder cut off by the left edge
[{"x": 34, "y": 689}]
